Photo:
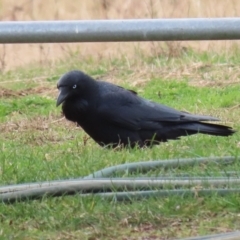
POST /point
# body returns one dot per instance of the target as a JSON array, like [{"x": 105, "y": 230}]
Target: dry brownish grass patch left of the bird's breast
[{"x": 39, "y": 130}]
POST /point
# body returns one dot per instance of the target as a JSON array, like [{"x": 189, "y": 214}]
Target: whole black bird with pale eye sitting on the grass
[{"x": 114, "y": 116}]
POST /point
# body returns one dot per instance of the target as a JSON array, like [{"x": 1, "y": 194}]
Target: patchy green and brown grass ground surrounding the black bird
[{"x": 37, "y": 144}]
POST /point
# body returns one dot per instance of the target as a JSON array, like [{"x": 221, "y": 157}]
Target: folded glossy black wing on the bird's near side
[{"x": 127, "y": 110}]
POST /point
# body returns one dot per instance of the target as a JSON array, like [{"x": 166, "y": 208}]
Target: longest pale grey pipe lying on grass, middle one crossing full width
[{"x": 111, "y": 183}]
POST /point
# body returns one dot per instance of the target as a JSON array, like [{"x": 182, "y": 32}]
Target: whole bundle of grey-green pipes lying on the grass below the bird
[{"x": 122, "y": 189}]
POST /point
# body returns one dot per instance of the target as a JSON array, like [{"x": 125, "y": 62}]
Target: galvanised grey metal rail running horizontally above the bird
[{"x": 120, "y": 30}]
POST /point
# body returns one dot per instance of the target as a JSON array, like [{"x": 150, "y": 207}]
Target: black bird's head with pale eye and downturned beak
[{"x": 72, "y": 84}]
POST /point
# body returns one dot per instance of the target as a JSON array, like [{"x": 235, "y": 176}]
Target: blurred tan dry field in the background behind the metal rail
[{"x": 13, "y": 55}]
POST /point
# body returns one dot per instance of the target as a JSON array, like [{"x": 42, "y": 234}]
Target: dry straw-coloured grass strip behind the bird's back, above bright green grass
[{"x": 199, "y": 73}]
